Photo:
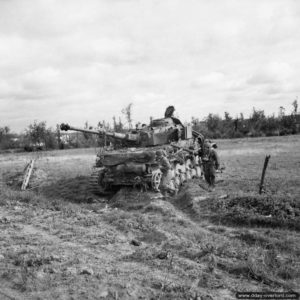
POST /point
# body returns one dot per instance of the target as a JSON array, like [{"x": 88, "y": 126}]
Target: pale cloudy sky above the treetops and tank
[{"x": 85, "y": 60}]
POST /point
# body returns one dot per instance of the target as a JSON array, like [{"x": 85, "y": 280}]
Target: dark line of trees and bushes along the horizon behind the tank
[{"x": 37, "y": 136}]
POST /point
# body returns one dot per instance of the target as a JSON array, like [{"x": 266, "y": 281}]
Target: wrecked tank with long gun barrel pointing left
[{"x": 134, "y": 162}]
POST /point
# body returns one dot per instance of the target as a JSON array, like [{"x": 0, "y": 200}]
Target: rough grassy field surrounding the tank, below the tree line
[{"x": 58, "y": 241}]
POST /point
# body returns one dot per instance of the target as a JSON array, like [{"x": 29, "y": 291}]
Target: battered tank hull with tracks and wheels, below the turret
[{"x": 139, "y": 168}]
